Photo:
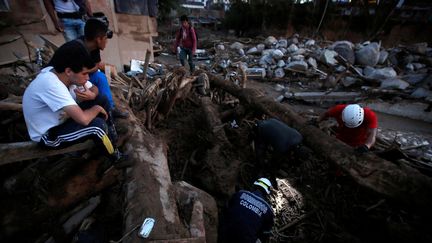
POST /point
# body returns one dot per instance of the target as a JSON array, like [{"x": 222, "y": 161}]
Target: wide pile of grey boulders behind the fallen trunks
[{"x": 339, "y": 65}]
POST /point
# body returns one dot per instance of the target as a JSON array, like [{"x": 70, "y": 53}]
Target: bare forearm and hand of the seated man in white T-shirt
[{"x": 84, "y": 117}]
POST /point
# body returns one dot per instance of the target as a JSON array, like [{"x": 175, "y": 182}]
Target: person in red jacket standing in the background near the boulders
[{"x": 187, "y": 41}]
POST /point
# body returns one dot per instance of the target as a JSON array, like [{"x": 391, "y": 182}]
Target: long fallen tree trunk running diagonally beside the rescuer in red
[{"x": 405, "y": 185}]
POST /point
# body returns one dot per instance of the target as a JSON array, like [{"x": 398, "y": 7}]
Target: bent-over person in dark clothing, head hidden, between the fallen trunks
[{"x": 274, "y": 135}]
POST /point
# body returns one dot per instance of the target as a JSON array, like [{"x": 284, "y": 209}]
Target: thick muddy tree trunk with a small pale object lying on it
[{"x": 148, "y": 188}]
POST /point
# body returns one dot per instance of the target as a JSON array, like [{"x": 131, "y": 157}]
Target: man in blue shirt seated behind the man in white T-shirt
[{"x": 96, "y": 35}]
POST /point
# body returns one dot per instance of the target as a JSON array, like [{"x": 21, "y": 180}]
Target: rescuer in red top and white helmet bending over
[{"x": 357, "y": 126}]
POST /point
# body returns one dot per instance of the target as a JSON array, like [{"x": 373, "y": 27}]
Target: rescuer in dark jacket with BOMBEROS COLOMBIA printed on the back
[{"x": 248, "y": 216}]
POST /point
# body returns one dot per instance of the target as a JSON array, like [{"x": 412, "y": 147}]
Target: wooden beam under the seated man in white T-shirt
[{"x": 14, "y": 152}]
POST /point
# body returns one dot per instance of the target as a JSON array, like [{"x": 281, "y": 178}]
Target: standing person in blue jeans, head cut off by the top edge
[{"x": 69, "y": 16}]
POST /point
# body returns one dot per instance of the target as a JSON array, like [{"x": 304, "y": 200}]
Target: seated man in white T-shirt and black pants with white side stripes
[{"x": 53, "y": 117}]
